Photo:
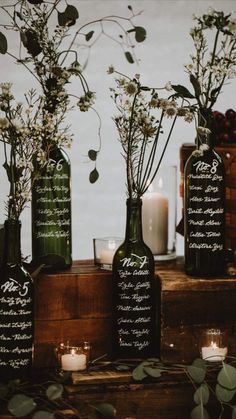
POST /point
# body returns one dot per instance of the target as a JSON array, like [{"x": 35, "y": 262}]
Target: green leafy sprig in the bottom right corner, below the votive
[{"x": 202, "y": 375}]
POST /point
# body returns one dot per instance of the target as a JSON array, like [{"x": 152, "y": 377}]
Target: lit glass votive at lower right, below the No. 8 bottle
[{"x": 212, "y": 345}]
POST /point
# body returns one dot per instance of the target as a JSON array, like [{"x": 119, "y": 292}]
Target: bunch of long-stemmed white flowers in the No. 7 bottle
[{"x": 142, "y": 113}]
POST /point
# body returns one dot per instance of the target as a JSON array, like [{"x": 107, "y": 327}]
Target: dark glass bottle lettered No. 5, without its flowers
[{"x": 16, "y": 309}]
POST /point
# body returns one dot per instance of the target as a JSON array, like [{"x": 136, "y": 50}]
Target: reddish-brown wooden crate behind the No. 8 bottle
[{"x": 228, "y": 154}]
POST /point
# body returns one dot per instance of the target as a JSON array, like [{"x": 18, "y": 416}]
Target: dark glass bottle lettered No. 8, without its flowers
[{"x": 204, "y": 210}]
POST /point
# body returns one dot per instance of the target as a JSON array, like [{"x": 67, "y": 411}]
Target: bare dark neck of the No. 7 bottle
[{"x": 134, "y": 220}]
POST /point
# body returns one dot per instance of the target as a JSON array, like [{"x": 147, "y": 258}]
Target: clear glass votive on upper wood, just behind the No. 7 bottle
[{"x": 104, "y": 249}]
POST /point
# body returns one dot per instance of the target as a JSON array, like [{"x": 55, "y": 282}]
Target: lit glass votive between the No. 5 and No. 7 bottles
[{"x": 72, "y": 357}]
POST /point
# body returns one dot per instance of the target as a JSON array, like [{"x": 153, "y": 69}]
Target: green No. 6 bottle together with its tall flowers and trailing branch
[{"x": 50, "y": 53}]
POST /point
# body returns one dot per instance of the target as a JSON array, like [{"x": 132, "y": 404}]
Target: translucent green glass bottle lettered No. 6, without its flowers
[{"x": 51, "y": 213}]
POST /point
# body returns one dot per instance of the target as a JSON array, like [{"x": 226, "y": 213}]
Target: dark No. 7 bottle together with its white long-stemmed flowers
[{"x": 136, "y": 300}]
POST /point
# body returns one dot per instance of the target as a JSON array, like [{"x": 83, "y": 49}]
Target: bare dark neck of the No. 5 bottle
[{"x": 12, "y": 249}]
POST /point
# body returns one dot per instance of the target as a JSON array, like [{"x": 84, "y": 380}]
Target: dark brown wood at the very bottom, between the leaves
[{"x": 169, "y": 397}]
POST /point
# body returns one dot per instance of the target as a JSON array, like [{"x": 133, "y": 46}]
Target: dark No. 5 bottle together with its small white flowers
[{"x": 16, "y": 285}]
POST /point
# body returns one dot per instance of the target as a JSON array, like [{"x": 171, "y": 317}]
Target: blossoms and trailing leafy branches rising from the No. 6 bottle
[{"x": 50, "y": 52}]
